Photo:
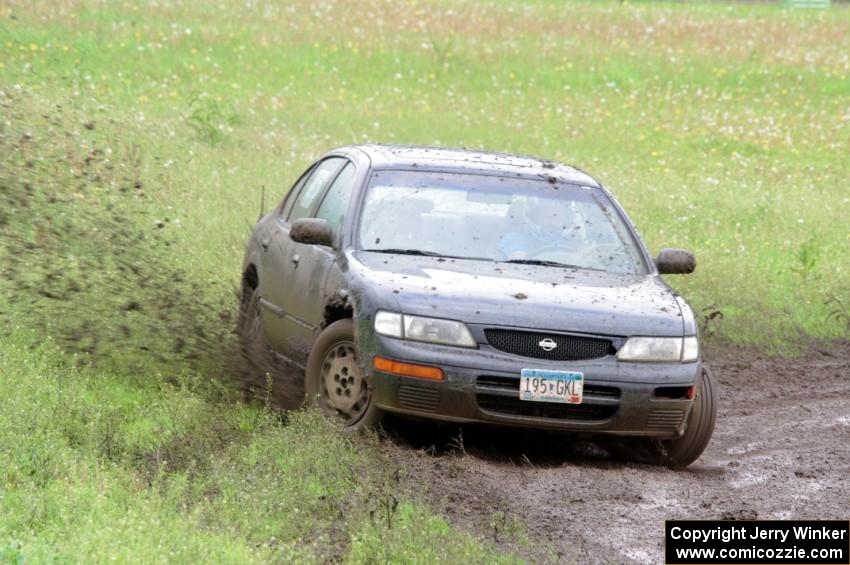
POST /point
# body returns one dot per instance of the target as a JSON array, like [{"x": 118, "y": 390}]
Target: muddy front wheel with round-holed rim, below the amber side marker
[{"x": 336, "y": 383}]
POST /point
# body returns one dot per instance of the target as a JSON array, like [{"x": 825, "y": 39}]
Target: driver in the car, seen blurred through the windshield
[{"x": 538, "y": 225}]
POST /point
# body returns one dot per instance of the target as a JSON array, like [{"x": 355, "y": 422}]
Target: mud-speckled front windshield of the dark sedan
[{"x": 495, "y": 218}]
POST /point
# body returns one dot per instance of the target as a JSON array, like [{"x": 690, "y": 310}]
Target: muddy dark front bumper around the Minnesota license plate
[{"x": 482, "y": 385}]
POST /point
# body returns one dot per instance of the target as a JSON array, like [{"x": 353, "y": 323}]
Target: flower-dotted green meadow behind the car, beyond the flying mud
[{"x": 722, "y": 128}]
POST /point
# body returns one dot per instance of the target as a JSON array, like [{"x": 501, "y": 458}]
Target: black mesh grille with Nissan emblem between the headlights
[{"x": 567, "y": 347}]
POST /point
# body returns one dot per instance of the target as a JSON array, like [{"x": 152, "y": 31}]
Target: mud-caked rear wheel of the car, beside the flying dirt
[{"x": 261, "y": 372}]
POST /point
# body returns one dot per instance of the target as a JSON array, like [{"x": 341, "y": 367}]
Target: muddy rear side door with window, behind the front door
[{"x": 280, "y": 261}]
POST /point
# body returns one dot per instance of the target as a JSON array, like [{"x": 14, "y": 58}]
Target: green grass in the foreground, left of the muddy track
[{"x": 96, "y": 469}]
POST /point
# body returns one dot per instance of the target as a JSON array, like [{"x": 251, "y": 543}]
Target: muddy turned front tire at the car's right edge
[{"x": 684, "y": 450}]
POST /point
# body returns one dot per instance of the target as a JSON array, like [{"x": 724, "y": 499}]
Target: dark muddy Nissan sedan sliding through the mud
[{"x": 475, "y": 287}]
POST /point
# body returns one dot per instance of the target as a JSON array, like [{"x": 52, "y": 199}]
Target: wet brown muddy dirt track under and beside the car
[{"x": 781, "y": 449}]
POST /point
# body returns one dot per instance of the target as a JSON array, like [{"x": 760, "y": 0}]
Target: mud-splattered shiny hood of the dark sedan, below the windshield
[{"x": 553, "y": 298}]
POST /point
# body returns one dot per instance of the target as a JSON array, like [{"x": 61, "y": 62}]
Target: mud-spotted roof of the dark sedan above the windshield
[{"x": 423, "y": 157}]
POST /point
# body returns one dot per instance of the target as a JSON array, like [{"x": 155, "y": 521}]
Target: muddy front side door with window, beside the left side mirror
[{"x": 304, "y": 296}]
